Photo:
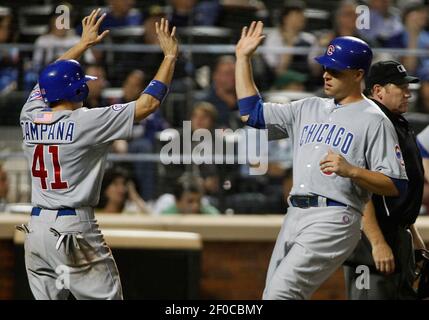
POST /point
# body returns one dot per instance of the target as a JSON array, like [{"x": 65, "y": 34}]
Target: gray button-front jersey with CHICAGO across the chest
[{"x": 359, "y": 131}]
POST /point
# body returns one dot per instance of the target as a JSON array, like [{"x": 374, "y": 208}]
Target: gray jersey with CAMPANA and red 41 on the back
[{"x": 67, "y": 150}]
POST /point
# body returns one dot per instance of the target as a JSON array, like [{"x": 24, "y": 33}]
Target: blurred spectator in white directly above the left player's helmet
[{"x": 56, "y": 42}]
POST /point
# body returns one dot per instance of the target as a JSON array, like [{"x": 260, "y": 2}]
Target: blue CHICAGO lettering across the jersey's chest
[{"x": 327, "y": 133}]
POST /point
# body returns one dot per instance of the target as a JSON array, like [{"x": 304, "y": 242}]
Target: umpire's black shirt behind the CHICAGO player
[{"x": 394, "y": 212}]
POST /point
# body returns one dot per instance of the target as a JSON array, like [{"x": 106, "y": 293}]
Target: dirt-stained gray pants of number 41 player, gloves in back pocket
[{"x": 67, "y": 253}]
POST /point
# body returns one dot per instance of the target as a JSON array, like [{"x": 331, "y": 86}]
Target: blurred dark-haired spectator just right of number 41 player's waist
[{"x": 118, "y": 194}]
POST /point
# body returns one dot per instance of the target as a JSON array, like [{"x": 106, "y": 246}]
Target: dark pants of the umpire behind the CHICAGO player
[{"x": 396, "y": 286}]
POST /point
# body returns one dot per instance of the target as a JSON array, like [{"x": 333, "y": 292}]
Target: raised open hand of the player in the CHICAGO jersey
[{"x": 251, "y": 38}]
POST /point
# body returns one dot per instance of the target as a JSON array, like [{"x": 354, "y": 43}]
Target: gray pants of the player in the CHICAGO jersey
[{"x": 312, "y": 244}]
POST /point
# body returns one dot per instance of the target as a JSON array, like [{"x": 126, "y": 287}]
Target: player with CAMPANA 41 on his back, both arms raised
[{"x": 66, "y": 146}]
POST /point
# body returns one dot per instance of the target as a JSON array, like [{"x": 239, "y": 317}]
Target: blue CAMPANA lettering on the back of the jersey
[{"x": 58, "y": 131}]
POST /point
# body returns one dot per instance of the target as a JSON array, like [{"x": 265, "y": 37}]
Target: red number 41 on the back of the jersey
[{"x": 42, "y": 173}]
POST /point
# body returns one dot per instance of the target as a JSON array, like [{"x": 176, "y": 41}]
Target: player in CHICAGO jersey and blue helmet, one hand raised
[{"x": 344, "y": 150}]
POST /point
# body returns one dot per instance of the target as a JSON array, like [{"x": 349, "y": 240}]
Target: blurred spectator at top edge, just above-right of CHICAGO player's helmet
[{"x": 385, "y": 23}]
